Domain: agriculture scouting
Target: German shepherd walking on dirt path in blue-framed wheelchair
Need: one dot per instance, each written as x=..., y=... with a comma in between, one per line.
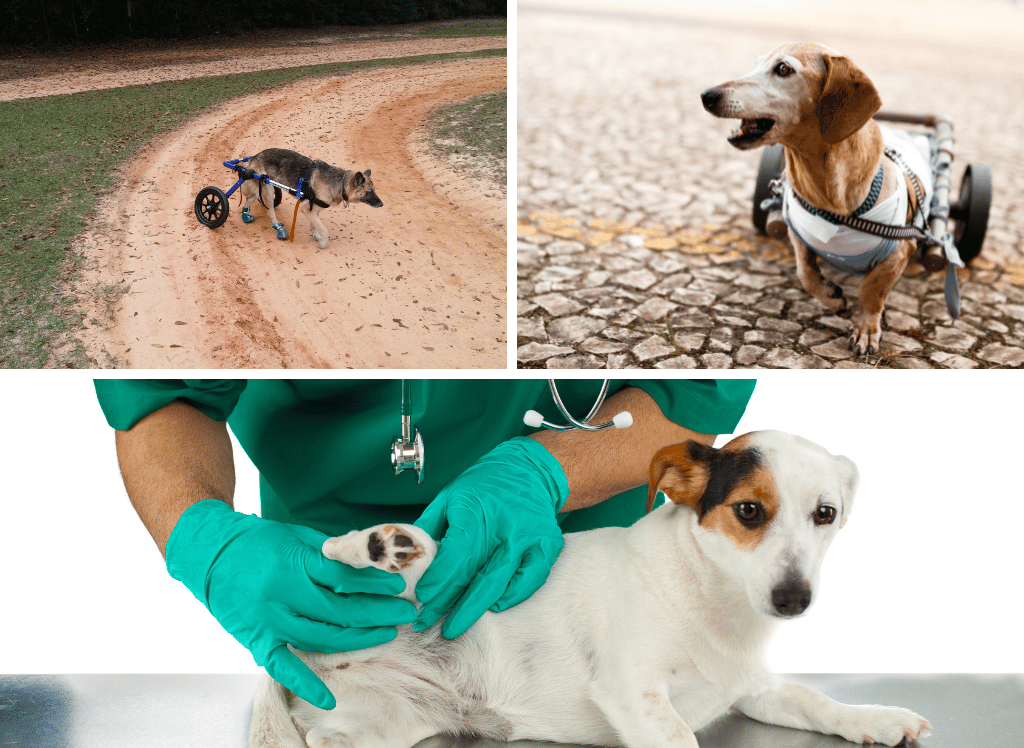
x=329, y=184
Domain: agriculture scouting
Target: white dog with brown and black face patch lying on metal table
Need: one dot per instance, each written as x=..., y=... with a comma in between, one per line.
x=641, y=637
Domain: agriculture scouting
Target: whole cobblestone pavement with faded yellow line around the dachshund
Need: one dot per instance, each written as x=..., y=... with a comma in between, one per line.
x=635, y=243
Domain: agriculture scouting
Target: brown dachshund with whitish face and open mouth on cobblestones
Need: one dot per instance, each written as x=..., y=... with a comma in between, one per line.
x=819, y=105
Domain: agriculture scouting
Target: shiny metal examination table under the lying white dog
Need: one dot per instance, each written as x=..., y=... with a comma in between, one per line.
x=214, y=712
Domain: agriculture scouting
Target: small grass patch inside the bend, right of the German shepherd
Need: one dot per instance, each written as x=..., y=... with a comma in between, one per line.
x=476, y=132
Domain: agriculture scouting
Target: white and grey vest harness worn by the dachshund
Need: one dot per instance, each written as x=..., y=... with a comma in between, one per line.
x=859, y=242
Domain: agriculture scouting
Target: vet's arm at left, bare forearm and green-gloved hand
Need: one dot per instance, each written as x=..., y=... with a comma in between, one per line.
x=268, y=584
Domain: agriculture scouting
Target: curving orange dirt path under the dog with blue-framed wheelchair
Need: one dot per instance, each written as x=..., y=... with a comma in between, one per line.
x=420, y=283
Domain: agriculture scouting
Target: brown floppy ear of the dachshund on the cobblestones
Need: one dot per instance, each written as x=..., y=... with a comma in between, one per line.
x=848, y=100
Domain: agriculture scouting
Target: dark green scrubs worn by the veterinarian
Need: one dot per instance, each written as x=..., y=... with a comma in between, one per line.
x=323, y=447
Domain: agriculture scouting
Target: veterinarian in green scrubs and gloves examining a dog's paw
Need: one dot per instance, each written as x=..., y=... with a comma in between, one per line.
x=495, y=493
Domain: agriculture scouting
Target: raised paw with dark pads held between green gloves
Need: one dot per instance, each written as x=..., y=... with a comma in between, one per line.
x=391, y=548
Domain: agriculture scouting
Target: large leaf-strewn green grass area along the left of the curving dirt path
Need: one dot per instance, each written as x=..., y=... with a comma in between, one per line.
x=59, y=154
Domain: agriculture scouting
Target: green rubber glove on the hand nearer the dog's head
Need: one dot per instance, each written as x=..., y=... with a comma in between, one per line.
x=498, y=535
